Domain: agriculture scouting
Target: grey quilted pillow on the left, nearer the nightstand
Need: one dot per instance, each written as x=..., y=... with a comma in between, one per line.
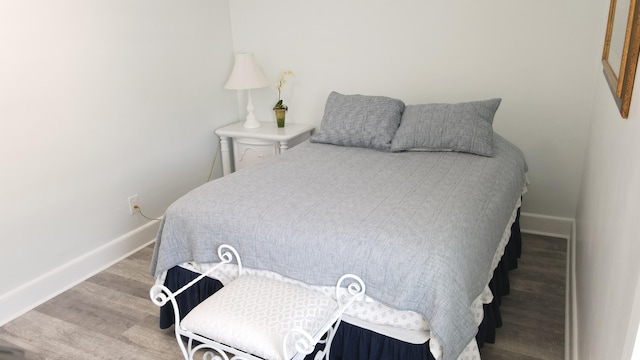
x=359, y=121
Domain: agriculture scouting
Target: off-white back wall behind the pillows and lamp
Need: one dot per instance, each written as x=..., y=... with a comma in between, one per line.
x=534, y=55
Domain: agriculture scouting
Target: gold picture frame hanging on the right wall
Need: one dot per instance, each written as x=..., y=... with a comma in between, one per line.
x=620, y=54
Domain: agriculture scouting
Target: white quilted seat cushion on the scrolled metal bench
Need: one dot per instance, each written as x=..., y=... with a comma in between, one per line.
x=253, y=314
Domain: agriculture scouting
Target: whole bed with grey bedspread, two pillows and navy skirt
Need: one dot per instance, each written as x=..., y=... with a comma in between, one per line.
x=421, y=201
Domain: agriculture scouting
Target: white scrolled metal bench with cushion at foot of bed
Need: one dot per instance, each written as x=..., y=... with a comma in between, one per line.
x=255, y=317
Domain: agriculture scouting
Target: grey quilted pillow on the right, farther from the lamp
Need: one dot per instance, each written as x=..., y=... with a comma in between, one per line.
x=465, y=127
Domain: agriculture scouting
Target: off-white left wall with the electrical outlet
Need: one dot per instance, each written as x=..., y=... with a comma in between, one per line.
x=100, y=100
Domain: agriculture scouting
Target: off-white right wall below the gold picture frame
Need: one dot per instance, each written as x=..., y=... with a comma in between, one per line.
x=607, y=240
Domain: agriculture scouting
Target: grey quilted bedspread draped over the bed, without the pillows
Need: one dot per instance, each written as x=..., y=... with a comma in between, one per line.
x=420, y=228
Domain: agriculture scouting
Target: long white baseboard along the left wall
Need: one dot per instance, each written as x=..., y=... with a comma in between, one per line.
x=37, y=291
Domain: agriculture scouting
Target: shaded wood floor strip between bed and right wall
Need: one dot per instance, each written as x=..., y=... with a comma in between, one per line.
x=533, y=313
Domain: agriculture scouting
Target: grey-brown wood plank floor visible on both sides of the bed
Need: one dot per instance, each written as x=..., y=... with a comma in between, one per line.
x=110, y=316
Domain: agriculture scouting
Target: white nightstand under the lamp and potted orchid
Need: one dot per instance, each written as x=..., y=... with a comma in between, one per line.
x=251, y=146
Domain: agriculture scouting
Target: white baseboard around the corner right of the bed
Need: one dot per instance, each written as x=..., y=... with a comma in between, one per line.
x=563, y=228
